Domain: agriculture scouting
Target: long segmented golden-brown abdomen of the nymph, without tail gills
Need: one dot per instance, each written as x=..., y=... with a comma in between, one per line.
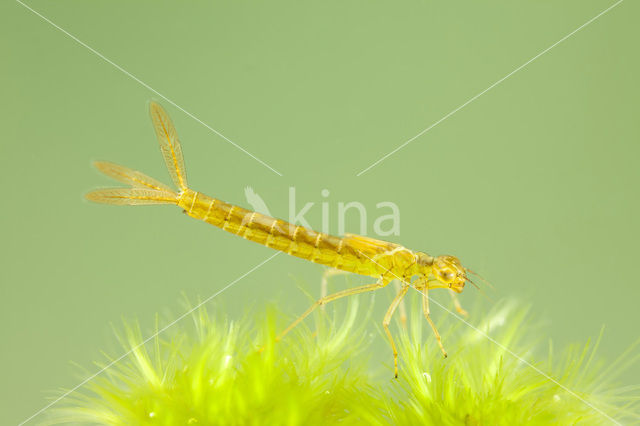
x=275, y=233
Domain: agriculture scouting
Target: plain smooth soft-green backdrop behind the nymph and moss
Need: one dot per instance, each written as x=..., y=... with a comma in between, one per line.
x=535, y=184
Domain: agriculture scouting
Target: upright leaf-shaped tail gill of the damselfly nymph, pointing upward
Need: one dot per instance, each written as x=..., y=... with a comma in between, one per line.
x=169, y=144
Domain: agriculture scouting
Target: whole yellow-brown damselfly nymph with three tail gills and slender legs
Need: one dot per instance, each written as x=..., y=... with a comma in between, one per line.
x=357, y=254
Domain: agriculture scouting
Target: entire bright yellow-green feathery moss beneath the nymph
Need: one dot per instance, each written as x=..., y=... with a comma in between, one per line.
x=212, y=372
